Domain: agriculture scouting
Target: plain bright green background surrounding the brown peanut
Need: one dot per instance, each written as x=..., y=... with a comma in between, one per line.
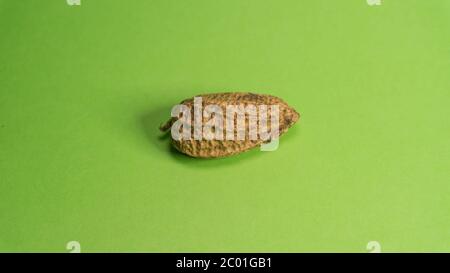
x=84, y=88
